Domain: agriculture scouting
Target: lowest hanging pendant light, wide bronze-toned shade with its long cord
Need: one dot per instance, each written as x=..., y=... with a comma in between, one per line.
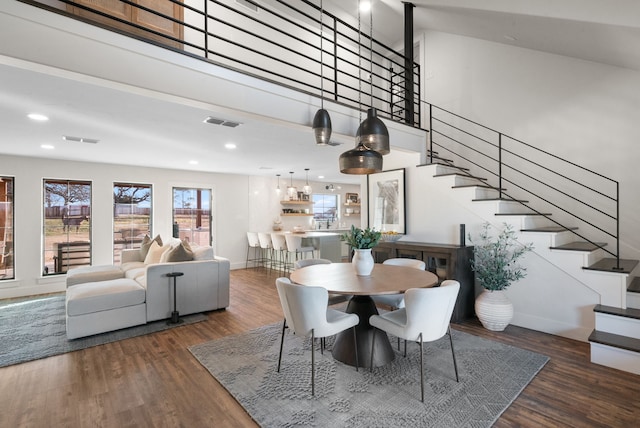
x=362, y=159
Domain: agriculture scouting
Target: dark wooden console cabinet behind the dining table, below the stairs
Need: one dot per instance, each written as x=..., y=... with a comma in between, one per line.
x=446, y=261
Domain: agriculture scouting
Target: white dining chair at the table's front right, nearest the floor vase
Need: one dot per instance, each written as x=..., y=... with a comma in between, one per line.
x=426, y=317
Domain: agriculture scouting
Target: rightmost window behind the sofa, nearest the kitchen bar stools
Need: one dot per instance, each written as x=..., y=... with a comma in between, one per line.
x=192, y=215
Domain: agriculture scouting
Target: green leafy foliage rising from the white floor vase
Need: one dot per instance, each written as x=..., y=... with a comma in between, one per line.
x=496, y=258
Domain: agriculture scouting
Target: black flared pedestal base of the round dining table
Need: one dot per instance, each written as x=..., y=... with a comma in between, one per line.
x=343, y=349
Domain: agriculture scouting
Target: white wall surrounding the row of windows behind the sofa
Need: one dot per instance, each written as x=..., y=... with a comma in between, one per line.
x=230, y=212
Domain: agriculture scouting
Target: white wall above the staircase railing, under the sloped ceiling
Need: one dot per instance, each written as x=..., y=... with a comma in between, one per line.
x=583, y=111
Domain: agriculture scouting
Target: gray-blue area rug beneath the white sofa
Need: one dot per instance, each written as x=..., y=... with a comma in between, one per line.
x=35, y=328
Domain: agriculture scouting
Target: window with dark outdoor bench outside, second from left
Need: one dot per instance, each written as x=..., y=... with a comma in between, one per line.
x=66, y=225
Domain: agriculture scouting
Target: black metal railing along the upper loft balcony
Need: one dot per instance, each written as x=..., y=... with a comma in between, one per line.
x=280, y=44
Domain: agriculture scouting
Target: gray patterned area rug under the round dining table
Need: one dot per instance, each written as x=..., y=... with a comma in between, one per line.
x=492, y=375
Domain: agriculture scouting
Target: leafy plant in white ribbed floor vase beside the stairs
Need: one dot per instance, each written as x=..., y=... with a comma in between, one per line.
x=496, y=267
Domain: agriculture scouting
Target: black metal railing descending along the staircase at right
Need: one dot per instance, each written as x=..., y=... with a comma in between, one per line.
x=579, y=197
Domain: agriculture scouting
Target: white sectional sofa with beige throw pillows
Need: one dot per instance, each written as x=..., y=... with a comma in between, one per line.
x=105, y=298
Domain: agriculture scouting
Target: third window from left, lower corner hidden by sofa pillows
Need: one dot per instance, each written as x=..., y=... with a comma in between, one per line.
x=131, y=216
